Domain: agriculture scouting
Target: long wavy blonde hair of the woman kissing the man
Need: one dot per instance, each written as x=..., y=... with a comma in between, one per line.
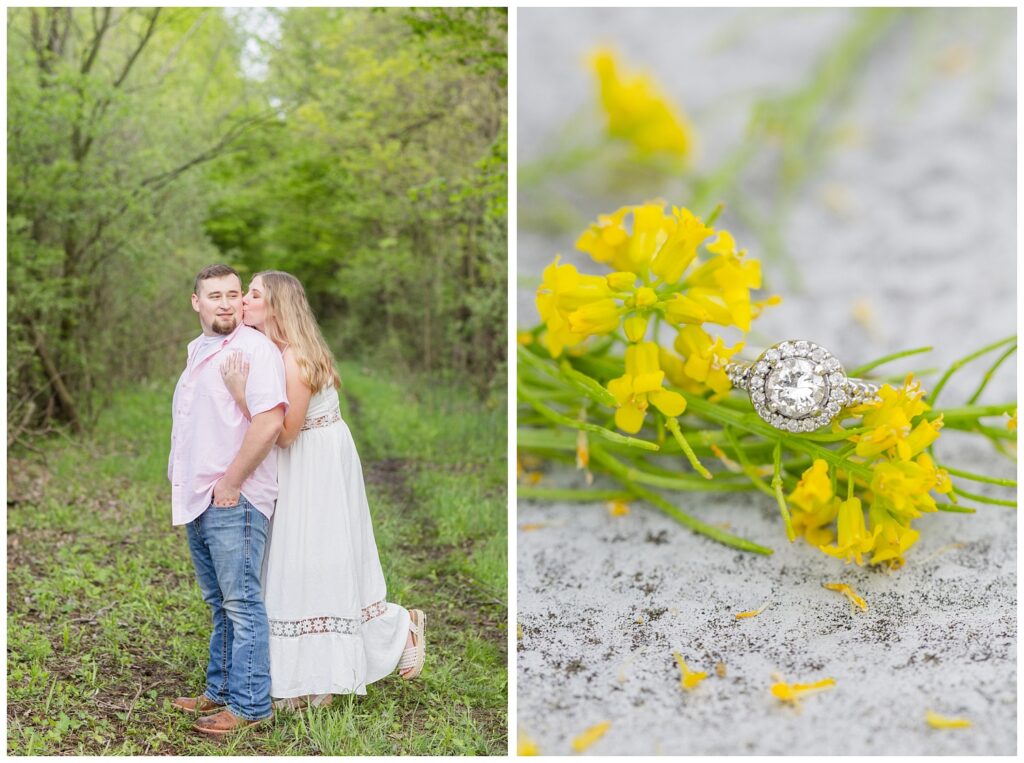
x=290, y=321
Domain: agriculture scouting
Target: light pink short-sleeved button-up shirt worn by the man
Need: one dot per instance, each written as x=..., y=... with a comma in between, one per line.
x=208, y=427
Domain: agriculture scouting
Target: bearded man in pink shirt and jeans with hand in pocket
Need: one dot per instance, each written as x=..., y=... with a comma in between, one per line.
x=224, y=475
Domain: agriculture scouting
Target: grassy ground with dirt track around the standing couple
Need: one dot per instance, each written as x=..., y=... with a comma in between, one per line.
x=106, y=624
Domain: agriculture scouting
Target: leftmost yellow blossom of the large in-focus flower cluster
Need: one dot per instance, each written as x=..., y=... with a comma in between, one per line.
x=562, y=296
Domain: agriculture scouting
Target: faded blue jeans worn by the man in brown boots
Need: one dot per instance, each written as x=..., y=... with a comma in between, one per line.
x=228, y=546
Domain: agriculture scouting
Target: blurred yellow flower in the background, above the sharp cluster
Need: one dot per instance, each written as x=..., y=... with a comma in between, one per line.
x=638, y=112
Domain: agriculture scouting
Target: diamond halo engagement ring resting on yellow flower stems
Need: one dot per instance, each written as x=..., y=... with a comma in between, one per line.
x=799, y=387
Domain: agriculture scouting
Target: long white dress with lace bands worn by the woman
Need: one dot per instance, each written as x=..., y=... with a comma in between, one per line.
x=332, y=630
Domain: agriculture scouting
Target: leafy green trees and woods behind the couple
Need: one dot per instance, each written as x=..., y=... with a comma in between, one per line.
x=362, y=150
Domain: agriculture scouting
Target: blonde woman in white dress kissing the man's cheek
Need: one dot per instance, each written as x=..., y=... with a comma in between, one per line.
x=331, y=628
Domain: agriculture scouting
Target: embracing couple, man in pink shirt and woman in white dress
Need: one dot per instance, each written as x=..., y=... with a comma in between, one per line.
x=300, y=604
